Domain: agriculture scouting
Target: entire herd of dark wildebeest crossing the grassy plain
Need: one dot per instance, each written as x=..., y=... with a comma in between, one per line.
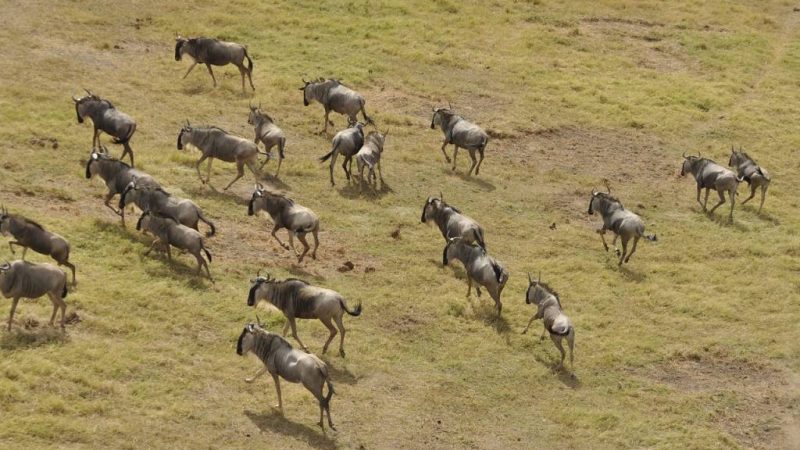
x=174, y=221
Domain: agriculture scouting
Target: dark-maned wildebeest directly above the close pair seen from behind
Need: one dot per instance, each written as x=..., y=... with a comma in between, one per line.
x=336, y=97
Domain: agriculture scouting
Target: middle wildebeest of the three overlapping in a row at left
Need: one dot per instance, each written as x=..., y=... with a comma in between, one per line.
x=158, y=201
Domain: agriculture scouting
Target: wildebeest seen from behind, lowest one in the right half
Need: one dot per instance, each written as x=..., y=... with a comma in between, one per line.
x=548, y=307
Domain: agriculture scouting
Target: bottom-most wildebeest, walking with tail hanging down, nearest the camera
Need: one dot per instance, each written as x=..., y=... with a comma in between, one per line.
x=282, y=361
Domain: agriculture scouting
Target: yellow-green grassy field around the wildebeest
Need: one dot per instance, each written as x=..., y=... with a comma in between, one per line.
x=693, y=344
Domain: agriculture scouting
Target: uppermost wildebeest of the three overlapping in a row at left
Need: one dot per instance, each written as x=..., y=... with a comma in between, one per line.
x=117, y=175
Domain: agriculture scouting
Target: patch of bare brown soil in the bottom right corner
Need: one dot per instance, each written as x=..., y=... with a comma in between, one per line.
x=753, y=403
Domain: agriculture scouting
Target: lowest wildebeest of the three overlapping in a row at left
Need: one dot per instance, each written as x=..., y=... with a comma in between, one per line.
x=170, y=233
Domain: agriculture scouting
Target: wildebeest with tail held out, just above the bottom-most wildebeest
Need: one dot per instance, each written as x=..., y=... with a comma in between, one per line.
x=299, y=300
